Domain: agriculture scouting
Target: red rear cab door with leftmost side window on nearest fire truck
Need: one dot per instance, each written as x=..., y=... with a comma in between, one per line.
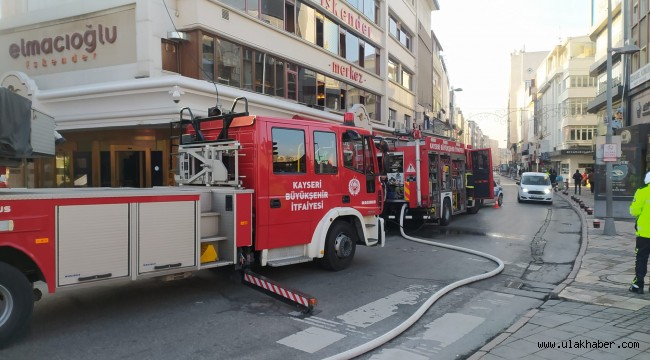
x=291, y=203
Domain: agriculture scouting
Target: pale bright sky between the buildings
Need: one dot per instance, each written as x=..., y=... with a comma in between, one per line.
x=477, y=38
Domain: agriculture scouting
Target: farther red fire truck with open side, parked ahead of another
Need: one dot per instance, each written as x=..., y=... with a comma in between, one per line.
x=435, y=178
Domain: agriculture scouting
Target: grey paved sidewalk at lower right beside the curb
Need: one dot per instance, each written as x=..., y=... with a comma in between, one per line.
x=591, y=315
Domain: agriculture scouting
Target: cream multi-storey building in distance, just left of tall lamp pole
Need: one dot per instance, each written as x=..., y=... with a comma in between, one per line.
x=563, y=131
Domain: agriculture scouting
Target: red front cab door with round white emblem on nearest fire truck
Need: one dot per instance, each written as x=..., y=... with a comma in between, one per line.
x=360, y=173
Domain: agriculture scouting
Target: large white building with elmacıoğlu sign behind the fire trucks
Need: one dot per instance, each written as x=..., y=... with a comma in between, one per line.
x=115, y=73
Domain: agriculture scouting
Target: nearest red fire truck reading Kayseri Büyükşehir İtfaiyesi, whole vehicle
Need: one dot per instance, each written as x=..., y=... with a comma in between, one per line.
x=252, y=189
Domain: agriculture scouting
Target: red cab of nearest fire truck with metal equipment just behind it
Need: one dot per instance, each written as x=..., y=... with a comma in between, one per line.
x=310, y=179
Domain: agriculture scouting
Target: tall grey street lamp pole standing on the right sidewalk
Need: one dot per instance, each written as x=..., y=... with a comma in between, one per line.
x=610, y=227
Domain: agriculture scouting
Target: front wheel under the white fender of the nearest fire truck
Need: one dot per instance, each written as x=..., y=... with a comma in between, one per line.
x=340, y=245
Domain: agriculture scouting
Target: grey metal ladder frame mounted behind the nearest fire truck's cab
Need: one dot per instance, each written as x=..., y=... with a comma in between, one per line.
x=207, y=162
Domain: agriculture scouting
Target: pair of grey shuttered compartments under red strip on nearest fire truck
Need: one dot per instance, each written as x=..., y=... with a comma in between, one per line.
x=106, y=233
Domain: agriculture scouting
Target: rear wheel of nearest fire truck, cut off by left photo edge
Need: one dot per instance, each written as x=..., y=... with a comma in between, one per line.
x=16, y=303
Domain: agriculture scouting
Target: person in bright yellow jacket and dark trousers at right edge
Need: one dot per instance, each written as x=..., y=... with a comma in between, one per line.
x=640, y=209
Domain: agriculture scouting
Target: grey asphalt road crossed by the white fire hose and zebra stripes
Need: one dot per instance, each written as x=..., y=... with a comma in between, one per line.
x=213, y=316
